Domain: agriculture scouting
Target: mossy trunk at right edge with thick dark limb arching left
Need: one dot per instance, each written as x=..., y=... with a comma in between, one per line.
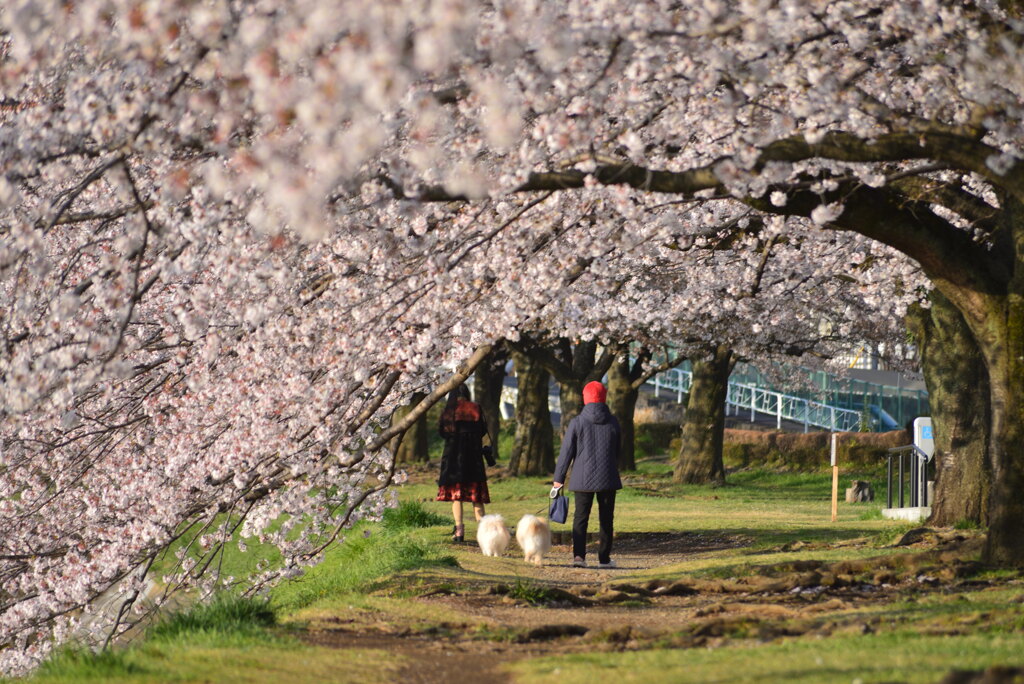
x=986, y=283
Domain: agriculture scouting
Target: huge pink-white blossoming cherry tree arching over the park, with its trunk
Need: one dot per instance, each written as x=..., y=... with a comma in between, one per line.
x=235, y=237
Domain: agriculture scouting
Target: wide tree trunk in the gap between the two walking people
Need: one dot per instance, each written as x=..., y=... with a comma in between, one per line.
x=533, y=452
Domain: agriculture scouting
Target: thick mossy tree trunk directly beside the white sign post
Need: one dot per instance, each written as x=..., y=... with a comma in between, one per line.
x=959, y=397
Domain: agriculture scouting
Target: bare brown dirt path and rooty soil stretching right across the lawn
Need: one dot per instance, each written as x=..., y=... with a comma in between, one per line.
x=492, y=612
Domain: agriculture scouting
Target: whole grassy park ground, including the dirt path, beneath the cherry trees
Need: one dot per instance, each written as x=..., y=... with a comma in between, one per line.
x=404, y=581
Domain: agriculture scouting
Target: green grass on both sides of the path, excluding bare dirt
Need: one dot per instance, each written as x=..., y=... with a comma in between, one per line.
x=375, y=574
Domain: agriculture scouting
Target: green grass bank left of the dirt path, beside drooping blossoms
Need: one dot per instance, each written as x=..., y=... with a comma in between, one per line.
x=236, y=639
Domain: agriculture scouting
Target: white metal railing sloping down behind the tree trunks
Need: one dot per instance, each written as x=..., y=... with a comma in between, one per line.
x=755, y=400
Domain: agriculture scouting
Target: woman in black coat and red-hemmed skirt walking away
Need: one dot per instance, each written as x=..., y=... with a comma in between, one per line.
x=463, y=477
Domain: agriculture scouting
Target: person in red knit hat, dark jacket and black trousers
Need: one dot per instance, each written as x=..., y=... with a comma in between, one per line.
x=591, y=446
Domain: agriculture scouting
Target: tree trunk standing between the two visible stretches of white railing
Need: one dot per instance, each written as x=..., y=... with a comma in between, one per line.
x=700, y=460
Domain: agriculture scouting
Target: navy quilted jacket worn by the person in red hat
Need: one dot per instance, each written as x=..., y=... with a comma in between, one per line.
x=591, y=446
